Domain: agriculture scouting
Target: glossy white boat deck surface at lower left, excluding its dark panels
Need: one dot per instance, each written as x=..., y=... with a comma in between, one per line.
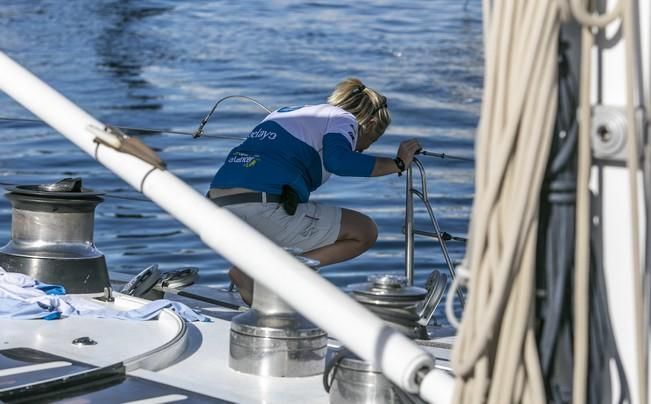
x=190, y=356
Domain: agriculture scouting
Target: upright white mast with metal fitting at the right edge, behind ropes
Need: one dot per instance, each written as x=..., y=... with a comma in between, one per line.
x=610, y=182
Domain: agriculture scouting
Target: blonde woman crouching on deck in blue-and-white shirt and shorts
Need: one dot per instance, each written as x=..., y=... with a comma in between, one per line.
x=267, y=180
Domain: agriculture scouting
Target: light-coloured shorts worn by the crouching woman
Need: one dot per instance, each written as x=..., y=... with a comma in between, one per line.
x=312, y=226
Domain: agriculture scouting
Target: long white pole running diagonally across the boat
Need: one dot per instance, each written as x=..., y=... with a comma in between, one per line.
x=320, y=301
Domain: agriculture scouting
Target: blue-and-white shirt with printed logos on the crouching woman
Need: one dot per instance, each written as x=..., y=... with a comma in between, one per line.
x=296, y=146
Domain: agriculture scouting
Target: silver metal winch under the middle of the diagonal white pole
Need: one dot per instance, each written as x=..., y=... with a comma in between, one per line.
x=272, y=339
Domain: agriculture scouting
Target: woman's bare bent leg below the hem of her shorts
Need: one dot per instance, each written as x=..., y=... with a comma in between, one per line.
x=357, y=234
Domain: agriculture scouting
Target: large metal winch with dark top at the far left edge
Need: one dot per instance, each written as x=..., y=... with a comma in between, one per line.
x=52, y=236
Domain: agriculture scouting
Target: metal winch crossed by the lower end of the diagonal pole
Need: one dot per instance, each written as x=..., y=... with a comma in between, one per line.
x=406, y=308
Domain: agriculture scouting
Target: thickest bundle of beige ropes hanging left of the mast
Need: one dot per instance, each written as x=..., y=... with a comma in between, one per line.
x=495, y=356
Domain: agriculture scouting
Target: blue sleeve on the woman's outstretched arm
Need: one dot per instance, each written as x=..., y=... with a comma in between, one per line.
x=340, y=159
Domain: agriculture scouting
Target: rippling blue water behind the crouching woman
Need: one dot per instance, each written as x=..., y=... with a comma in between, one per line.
x=162, y=64
